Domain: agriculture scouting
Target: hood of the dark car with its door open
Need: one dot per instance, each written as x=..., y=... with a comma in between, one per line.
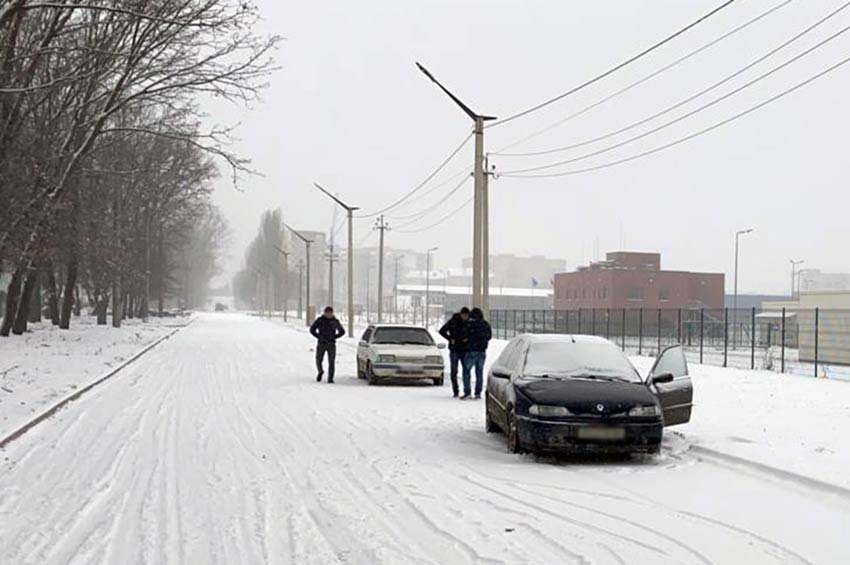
x=583, y=396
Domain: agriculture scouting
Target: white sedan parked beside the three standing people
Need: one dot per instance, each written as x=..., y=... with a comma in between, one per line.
x=395, y=351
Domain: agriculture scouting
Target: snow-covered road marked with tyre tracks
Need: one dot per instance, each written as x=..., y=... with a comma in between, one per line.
x=219, y=447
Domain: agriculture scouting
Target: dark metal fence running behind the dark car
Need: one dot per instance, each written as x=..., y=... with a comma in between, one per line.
x=809, y=342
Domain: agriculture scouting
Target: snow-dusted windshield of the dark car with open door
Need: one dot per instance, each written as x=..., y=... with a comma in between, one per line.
x=567, y=359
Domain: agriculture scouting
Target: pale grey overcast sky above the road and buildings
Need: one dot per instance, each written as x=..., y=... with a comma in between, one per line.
x=349, y=109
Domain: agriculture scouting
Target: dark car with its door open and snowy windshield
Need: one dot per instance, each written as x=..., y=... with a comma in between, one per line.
x=564, y=393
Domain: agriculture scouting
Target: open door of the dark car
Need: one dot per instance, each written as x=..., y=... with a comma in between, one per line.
x=676, y=395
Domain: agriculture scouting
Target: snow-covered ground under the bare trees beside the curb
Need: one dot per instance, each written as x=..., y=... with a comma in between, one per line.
x=47, y=364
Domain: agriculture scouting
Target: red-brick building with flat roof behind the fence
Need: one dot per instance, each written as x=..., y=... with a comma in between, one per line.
x=635, y=280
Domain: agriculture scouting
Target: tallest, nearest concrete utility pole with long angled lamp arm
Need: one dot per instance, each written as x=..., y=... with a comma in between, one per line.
x=479, y=205
